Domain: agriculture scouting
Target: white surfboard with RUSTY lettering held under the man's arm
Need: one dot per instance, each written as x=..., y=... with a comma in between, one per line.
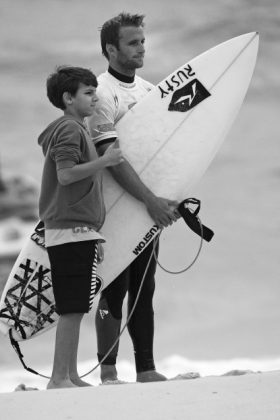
x=170, y=138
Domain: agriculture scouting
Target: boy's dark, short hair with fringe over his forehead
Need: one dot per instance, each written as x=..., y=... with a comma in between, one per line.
x=67, y=79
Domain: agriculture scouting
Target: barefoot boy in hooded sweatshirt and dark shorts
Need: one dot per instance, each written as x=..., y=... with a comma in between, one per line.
x=72, y=209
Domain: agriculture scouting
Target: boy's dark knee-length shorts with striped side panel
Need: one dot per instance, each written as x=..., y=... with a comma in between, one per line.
x=73, y=268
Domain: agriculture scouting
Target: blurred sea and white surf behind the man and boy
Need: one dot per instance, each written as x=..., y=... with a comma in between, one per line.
x=224, y=312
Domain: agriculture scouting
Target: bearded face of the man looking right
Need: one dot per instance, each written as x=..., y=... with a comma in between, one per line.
x=130, y=54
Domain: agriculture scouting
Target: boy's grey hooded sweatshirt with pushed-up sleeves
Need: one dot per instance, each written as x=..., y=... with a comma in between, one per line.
x=65, y=143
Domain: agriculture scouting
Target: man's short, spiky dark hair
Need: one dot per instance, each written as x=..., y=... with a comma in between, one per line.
x=109, y=33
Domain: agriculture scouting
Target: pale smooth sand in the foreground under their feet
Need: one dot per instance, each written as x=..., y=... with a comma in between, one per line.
x=249, y=397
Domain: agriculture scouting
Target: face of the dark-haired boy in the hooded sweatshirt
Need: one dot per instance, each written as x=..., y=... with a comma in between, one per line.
x=83, y=103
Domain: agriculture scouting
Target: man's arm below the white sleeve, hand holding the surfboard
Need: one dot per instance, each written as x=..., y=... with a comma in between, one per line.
x=160, y=209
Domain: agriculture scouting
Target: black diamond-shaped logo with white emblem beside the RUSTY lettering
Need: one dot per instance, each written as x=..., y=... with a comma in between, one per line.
x=188, y=96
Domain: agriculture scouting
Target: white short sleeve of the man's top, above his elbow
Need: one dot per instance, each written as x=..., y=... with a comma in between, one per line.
x=101, y=124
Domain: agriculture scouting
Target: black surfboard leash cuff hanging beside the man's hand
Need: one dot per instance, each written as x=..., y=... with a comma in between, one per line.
x=191, y=219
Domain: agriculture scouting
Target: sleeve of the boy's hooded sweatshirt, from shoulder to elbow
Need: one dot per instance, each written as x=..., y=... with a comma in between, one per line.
x=66, y=150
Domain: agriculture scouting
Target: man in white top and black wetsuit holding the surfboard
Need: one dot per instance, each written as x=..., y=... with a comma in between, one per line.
x=122, y=41
